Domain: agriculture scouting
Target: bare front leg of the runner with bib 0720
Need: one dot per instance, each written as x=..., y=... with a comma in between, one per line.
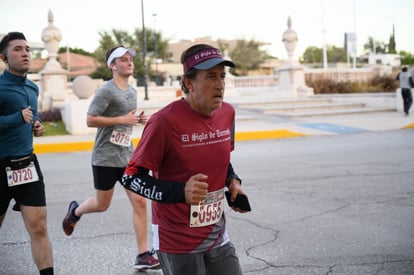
x=35, y=222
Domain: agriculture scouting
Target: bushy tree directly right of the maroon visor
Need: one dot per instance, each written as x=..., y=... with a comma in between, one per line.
x=247, y=56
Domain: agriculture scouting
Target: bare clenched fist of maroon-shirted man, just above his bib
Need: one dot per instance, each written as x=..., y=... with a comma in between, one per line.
x=196, y=189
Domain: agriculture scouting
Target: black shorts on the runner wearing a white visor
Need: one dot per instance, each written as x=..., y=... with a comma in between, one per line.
x=105, y=178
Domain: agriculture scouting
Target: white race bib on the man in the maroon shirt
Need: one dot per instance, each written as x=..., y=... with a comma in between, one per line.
x=208, y=212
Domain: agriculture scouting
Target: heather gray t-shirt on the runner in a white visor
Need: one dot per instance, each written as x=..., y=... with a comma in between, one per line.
x=110, y=101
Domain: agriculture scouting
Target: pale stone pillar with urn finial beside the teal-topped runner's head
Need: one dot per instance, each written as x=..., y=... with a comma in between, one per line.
x=54, y=77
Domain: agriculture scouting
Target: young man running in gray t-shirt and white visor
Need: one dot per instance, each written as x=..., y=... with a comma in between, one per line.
x=113, y=111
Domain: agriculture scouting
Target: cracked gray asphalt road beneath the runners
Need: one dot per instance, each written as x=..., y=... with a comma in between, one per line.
x=339, y=204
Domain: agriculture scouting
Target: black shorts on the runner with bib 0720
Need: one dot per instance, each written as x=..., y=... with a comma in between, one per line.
x=30, y=194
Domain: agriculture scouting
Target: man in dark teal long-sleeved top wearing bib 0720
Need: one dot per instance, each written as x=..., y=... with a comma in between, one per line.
x=20, y=176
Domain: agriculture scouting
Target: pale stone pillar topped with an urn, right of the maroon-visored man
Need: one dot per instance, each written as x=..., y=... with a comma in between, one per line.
x=291, y=74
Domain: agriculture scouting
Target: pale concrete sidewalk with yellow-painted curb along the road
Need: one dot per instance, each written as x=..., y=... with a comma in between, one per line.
x=256, y=126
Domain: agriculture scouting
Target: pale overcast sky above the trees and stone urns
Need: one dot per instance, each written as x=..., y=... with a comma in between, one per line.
x=316, y=22
